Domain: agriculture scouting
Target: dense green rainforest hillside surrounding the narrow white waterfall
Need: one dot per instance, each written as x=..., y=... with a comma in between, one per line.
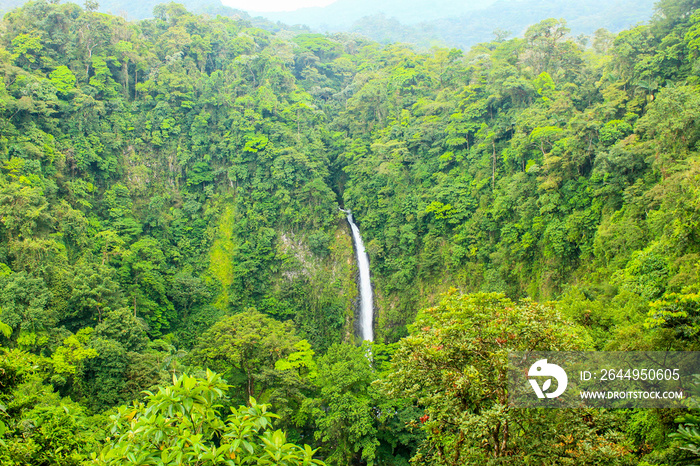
x=169, y=194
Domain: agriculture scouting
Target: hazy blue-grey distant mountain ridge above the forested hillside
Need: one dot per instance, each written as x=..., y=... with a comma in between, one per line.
x=425, y=23
